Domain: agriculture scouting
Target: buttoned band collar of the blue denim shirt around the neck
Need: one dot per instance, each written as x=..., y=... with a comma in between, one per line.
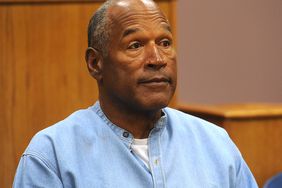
x=123, y=134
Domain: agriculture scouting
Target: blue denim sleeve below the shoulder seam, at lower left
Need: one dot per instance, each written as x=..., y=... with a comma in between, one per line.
x=34, y=171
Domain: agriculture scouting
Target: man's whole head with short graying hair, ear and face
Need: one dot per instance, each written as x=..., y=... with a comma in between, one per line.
x=131, y=55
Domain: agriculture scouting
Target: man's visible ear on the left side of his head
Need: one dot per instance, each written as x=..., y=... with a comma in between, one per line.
x=94, y=63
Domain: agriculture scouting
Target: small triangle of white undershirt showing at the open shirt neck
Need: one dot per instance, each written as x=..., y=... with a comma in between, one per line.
x=140, y=148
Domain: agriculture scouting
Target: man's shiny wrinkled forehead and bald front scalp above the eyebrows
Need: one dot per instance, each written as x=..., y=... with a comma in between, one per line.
x=130, y=12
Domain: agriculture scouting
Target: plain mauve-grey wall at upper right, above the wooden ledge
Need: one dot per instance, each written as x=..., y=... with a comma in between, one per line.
x=230, y=51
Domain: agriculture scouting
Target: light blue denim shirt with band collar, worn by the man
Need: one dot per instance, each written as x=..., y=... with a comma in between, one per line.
x=86, y=150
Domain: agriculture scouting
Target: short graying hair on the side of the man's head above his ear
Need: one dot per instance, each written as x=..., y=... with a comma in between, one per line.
x=99, y=29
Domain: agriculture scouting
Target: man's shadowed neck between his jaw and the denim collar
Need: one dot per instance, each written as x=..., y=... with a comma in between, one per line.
x=138, y=123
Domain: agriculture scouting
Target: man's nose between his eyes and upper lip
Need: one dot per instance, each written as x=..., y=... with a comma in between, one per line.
x=155, y=59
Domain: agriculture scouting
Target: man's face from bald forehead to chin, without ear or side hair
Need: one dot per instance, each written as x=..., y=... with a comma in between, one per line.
x=140, y=70
